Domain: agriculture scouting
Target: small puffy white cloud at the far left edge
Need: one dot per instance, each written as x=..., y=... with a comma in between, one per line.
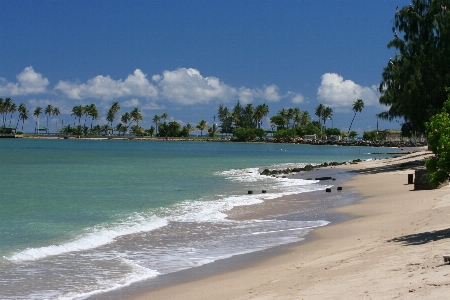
x=28, y=82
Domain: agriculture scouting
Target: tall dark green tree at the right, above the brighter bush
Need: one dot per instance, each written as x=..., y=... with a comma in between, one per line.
x=413, y=82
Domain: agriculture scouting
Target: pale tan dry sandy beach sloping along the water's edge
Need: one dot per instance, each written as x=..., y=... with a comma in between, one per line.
x=392, y=249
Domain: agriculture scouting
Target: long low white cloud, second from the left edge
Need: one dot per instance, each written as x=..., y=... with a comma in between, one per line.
x=104, y=87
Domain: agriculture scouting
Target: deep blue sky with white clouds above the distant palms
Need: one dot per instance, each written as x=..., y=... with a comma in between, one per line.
x=184, y=58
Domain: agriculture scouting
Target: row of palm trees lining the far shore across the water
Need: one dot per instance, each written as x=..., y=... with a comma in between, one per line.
x=239, y=116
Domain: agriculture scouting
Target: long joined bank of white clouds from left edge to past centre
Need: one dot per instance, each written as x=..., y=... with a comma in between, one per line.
x=183, y=86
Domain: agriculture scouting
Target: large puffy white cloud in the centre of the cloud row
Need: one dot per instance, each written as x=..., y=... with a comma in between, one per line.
x=188, y=86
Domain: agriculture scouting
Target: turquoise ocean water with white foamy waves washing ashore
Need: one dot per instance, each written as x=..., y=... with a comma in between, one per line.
x=83, y=217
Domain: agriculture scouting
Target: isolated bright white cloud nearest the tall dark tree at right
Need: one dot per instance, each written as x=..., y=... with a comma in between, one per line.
x=337, y=92
